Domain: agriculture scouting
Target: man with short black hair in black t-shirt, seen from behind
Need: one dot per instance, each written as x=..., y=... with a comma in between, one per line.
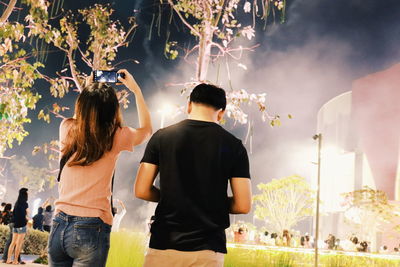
x=196, y=158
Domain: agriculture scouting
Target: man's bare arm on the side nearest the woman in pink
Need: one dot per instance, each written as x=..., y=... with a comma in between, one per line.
x=144, y=188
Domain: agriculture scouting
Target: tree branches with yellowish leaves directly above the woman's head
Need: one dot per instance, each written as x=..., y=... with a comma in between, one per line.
x=99, y=51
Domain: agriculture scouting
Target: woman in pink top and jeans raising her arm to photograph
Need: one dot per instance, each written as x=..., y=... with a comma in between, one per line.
x=92, y=141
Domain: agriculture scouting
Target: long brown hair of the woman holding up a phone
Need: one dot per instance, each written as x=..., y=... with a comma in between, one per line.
x=97, y=118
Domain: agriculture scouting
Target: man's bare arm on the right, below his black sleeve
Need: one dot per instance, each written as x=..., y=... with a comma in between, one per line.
x=240, y=202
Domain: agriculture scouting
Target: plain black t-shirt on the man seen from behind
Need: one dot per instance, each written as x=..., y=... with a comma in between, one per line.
x=196, y=159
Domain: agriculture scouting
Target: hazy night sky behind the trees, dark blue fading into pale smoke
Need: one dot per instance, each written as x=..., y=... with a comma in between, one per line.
x=315, y=55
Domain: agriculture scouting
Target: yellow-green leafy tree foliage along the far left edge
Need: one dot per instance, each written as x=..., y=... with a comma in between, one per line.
x=18, y=73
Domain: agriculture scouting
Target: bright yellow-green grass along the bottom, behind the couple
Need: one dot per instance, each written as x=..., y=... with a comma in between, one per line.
x=128, y=248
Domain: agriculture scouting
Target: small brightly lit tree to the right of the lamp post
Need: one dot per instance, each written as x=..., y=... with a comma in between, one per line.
x=368, y=211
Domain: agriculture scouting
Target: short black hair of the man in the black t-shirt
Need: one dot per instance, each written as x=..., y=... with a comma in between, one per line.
x=210, y=95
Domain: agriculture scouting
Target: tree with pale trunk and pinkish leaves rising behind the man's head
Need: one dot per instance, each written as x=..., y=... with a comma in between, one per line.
x=215, y=25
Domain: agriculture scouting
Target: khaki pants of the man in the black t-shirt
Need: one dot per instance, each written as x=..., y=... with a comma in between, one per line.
x=175, y=258
